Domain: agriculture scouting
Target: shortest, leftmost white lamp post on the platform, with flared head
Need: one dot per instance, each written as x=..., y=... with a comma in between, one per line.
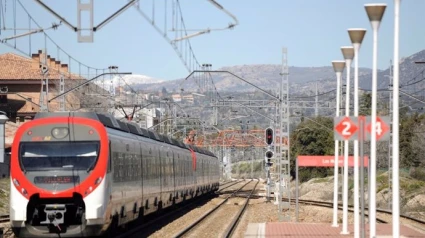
x=338, y=68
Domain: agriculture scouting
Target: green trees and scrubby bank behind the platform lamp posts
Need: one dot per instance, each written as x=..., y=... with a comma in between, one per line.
x=314, y=136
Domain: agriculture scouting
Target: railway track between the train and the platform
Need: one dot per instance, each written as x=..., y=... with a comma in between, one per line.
x=233, y=224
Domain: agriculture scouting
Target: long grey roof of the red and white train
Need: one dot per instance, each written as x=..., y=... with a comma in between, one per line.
x=129, y=127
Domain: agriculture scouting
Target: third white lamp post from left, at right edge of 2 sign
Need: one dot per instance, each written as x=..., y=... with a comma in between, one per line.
x=356, y=37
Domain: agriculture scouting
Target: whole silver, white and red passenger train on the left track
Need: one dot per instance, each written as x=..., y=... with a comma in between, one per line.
x=79, y=173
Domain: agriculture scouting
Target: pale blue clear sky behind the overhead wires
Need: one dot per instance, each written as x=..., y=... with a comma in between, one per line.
x=312, y=30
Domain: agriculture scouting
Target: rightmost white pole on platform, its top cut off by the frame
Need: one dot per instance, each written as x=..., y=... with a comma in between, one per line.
x=395, y=162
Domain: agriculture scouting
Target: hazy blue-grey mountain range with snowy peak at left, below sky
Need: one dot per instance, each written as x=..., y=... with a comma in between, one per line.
x=303, y=80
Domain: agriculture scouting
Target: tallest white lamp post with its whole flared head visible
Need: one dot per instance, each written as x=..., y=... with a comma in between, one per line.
x=375, y=13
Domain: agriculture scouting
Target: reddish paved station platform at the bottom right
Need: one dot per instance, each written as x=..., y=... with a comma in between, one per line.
x=306, y=230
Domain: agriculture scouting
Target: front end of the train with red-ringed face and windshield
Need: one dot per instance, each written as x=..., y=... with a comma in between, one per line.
x=58, y=178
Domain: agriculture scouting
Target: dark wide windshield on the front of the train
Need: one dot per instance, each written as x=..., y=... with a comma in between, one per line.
x=36, y=156
